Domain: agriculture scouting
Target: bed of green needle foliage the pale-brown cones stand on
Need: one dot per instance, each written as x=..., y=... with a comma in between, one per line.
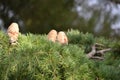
x=36, y=58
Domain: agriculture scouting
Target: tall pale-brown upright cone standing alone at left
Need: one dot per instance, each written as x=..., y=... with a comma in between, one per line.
x=13, y=32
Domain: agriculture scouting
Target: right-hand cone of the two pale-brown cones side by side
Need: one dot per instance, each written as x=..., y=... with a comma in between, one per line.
x=62, y=38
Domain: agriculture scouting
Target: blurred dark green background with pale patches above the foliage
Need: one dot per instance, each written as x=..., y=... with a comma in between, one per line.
x=100, y=17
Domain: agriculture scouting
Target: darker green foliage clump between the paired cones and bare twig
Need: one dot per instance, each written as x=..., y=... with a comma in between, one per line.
x=83, y=40
